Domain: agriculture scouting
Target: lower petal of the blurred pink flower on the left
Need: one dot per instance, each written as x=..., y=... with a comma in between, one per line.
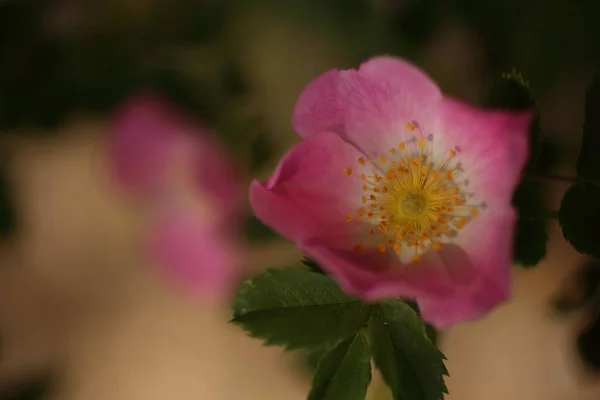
x=195, y=254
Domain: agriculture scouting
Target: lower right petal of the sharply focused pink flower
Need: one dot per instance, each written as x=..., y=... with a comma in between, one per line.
x=488, y=241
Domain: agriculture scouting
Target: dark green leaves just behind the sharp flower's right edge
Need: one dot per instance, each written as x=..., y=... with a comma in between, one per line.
x=512, y=92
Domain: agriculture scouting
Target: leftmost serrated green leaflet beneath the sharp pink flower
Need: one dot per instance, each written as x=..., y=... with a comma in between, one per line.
x=296, y=308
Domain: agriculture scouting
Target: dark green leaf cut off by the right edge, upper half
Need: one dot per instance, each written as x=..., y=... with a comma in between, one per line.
x=588, y=162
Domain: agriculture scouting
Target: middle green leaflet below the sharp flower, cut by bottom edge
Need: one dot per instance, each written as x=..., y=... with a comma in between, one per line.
x=345, y=372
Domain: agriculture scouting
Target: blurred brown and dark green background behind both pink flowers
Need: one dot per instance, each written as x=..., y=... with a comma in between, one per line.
x=82, y=313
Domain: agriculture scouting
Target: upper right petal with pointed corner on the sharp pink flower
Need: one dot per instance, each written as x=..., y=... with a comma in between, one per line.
x=494, y=147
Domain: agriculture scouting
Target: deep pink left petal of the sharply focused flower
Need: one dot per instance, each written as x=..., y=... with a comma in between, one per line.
x=309, y=192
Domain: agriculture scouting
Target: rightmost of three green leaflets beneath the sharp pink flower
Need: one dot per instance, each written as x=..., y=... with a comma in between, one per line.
x=410, y=364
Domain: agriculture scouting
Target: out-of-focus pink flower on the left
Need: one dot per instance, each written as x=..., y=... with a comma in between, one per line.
x=168, y=161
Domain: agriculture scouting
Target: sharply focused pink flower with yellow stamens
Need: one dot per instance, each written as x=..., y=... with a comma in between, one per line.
x=398, y=191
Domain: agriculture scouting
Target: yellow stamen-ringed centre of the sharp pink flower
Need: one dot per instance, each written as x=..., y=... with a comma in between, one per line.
x=413, y=201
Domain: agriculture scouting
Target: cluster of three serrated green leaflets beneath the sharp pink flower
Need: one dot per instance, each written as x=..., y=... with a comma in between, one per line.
x=301, y=309
